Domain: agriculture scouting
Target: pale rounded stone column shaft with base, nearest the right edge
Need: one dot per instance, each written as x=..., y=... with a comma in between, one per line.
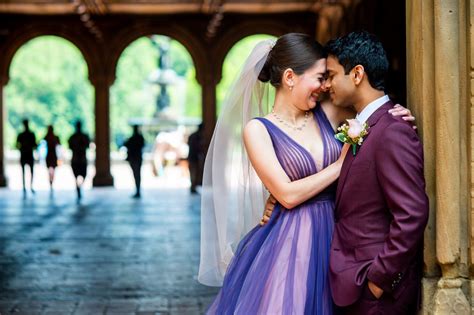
x=452, y=216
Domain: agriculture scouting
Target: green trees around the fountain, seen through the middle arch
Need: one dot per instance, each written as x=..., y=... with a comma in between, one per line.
x=134, y=96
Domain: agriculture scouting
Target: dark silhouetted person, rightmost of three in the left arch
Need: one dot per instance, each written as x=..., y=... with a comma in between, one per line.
x=78, y=143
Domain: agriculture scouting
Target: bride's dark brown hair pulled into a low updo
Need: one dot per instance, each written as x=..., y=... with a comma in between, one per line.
x=293, y=50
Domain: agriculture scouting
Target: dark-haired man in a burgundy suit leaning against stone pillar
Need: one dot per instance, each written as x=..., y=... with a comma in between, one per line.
x=381, y=205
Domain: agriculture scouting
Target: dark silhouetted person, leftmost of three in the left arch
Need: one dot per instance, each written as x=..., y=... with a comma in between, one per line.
x=26, y=143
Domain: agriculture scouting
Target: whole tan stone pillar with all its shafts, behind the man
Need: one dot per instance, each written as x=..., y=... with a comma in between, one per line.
x=436, y=86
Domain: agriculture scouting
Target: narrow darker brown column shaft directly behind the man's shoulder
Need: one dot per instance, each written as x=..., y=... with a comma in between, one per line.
x=420, y=87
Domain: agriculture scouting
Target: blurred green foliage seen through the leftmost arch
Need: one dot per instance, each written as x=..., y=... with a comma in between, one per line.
x=48, y=85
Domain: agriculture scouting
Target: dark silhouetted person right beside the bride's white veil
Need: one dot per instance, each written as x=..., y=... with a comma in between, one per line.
x=196, y=157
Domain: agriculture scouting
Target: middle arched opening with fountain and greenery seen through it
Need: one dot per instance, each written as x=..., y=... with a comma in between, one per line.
x=165, y=120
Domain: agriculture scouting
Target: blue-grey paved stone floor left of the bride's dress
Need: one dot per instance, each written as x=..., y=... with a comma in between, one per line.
x=110, y=254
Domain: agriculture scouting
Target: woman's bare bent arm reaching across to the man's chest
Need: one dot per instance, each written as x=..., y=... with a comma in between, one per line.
x=263, y=158
